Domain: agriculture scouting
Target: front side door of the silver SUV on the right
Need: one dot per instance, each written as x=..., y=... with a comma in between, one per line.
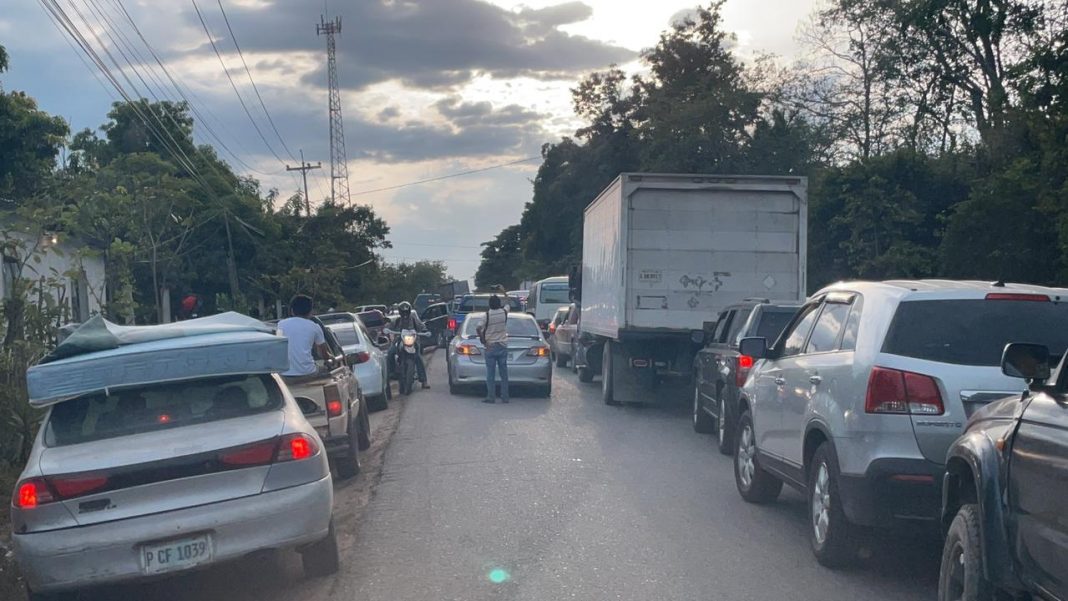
x=780, y=379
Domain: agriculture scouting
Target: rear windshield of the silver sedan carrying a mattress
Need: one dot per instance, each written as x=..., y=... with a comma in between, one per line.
x=158, y=407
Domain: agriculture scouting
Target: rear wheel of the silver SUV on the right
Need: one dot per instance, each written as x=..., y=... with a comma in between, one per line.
x=833, y=537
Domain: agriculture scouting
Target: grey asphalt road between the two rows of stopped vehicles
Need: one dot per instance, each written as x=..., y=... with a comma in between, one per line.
x=559, y=499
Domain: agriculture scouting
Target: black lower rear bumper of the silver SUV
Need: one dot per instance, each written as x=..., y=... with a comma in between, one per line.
x=894, y=491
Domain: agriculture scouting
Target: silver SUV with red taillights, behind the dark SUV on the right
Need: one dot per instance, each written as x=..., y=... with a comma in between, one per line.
x=858, y=402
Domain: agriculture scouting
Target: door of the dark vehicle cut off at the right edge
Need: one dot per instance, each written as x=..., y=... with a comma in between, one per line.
x=1038, y=491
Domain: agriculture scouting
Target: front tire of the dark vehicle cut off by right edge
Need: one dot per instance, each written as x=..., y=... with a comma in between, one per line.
x=962, y=574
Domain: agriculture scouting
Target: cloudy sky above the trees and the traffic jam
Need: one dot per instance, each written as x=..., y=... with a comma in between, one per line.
x=430, y=88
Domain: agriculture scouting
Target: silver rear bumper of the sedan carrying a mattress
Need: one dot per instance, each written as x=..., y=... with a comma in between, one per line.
x=109, y=552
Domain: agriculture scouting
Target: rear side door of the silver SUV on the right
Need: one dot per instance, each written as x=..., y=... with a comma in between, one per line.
x=824, y=373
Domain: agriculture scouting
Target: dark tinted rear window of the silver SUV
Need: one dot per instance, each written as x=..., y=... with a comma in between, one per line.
x=975, y=333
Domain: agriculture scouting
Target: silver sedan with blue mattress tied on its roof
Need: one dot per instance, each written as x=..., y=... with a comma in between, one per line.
x=185, y=464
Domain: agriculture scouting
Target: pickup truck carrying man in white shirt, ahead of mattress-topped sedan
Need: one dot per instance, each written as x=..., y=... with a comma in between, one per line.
x=335, y=406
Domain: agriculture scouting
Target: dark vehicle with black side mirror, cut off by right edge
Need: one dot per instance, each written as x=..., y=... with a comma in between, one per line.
x=1006, y=492
